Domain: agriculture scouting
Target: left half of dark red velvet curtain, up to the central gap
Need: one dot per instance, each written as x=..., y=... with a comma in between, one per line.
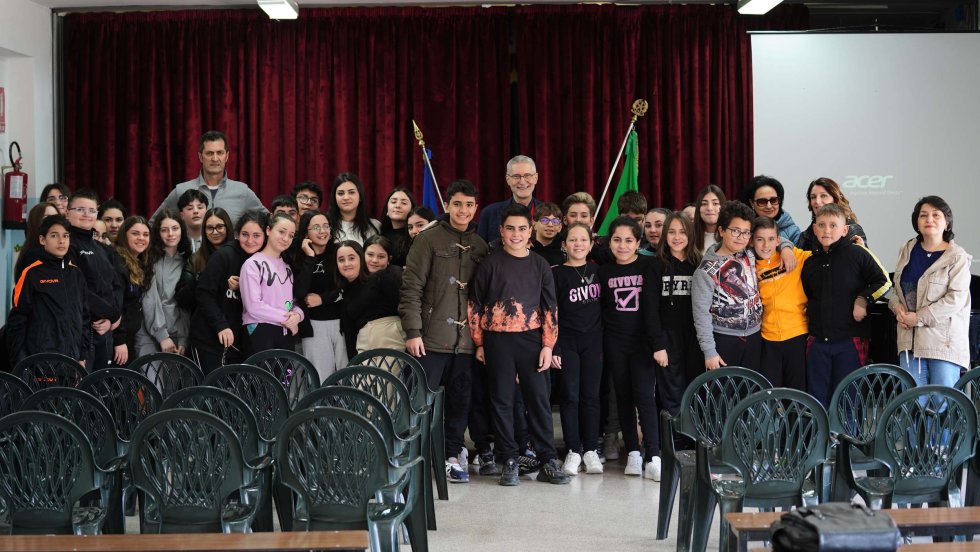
x=333, y=91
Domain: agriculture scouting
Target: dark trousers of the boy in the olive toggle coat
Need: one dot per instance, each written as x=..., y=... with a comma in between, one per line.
x=454, y=372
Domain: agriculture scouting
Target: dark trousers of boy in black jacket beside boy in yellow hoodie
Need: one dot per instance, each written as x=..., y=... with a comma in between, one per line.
x=830, y=361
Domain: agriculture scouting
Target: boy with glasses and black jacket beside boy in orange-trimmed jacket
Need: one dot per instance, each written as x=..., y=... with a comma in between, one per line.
x=104, y=291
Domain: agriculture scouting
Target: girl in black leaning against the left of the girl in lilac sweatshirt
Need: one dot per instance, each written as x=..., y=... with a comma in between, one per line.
x=216, y=325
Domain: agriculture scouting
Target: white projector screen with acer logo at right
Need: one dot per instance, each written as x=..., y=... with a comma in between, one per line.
x=889, y=117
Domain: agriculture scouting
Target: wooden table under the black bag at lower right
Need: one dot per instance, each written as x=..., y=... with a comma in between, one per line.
x=912, y=522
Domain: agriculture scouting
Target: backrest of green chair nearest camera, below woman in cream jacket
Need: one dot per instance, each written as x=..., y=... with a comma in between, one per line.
x=926, y=433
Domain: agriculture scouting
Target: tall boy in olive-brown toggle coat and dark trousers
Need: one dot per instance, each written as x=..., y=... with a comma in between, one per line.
x=433, y=310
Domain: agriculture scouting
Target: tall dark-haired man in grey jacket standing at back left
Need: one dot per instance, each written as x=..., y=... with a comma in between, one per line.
x=231, y=195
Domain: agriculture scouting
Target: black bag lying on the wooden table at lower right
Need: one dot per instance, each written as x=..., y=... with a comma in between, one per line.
x=835, y=527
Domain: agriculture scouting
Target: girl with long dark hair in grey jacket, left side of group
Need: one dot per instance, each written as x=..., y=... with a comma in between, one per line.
x=165, y=324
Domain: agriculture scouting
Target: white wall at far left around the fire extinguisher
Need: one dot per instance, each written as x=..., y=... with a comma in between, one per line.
x=26, y=74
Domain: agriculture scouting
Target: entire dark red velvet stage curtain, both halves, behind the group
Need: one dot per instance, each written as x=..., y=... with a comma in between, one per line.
x=336, y=90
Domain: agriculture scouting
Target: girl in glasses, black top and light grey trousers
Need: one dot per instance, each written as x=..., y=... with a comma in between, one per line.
x=315, y=288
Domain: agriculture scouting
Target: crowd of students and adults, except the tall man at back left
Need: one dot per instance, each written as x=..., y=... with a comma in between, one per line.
x=500, y=312
